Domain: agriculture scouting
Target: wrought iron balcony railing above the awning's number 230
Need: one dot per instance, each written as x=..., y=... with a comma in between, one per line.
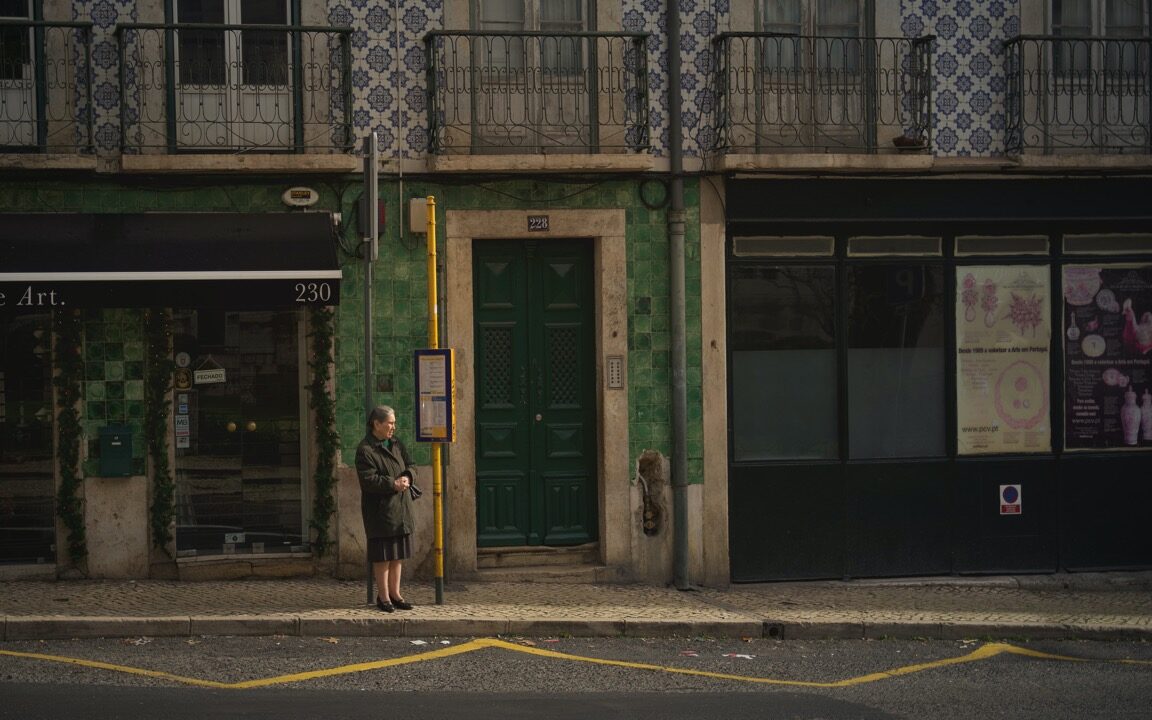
x=210, y=88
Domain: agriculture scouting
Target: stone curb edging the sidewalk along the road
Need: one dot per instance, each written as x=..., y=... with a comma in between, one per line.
x=36, y=628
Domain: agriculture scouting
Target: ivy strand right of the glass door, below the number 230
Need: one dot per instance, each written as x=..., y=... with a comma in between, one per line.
x=324, y=413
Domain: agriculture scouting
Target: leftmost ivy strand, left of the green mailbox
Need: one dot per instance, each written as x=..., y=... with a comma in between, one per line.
x=69, y=330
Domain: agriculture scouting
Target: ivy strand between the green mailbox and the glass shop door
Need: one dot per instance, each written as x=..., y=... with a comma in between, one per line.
x=157, y=407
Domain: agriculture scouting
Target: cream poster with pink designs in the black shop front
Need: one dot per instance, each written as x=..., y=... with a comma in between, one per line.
x=1003, y=354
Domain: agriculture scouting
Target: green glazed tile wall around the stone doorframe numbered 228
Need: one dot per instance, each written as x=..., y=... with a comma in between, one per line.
x=400, y=307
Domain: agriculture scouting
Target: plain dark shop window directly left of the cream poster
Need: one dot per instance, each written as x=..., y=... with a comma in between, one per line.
x=896, y=361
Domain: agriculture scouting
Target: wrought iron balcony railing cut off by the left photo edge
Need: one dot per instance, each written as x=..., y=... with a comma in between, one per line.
x=46, y=87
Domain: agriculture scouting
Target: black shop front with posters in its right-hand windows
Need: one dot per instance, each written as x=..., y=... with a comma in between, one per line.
x=939, y=376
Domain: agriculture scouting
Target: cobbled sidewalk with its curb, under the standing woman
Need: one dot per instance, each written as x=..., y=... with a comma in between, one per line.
x=1090, y=607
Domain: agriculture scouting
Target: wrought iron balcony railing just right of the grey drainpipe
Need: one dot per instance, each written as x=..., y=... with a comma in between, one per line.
x=789, y=94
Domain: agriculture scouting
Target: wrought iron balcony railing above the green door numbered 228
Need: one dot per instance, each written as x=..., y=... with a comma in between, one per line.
x=537, y=93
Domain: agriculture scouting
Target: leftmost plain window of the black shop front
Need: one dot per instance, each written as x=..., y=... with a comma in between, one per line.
x=784, y=363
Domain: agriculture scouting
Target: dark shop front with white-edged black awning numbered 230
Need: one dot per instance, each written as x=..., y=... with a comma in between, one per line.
x=185, y=332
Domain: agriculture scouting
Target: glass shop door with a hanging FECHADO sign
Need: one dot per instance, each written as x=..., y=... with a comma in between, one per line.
x=238, y=433
